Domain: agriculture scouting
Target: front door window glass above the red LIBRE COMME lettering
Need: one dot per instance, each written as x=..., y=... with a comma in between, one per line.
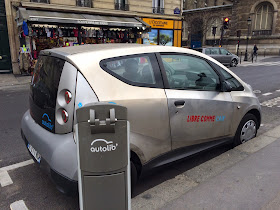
x=189, y=73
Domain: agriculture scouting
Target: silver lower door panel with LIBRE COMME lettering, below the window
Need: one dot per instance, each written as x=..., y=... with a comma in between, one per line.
x=212, y=110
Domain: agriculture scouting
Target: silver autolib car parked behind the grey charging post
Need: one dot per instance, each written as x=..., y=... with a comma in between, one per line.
x=179, y=101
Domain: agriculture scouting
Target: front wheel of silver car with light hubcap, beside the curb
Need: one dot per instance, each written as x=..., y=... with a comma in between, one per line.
x=246, y=130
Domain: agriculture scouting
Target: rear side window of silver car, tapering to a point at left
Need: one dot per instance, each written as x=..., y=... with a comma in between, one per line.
x=139, y=70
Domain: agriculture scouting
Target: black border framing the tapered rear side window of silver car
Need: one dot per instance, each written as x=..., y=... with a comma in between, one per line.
x=155, y=66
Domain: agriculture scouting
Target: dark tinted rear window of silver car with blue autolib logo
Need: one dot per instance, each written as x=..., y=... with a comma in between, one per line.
x=43, y=90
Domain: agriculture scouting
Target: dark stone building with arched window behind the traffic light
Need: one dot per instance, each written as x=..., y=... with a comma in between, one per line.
x=256, y=20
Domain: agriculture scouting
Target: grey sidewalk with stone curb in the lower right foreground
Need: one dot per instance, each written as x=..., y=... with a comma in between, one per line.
x=246, y=177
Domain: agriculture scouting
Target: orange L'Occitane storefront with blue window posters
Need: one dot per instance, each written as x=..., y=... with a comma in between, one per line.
x=163, y=32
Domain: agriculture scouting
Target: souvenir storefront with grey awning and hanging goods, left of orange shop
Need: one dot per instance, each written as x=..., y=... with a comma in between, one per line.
x=39, y=30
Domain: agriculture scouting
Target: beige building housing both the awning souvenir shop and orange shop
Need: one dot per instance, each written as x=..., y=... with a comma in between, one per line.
x=35, y=25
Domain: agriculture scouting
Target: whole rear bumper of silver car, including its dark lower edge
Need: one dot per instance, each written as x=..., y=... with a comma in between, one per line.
x=58, y=153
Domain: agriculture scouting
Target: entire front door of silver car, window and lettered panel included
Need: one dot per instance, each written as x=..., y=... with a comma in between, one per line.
x=199, y=112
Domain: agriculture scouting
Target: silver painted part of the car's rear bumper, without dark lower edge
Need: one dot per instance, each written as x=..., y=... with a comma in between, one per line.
x=58, y=150
